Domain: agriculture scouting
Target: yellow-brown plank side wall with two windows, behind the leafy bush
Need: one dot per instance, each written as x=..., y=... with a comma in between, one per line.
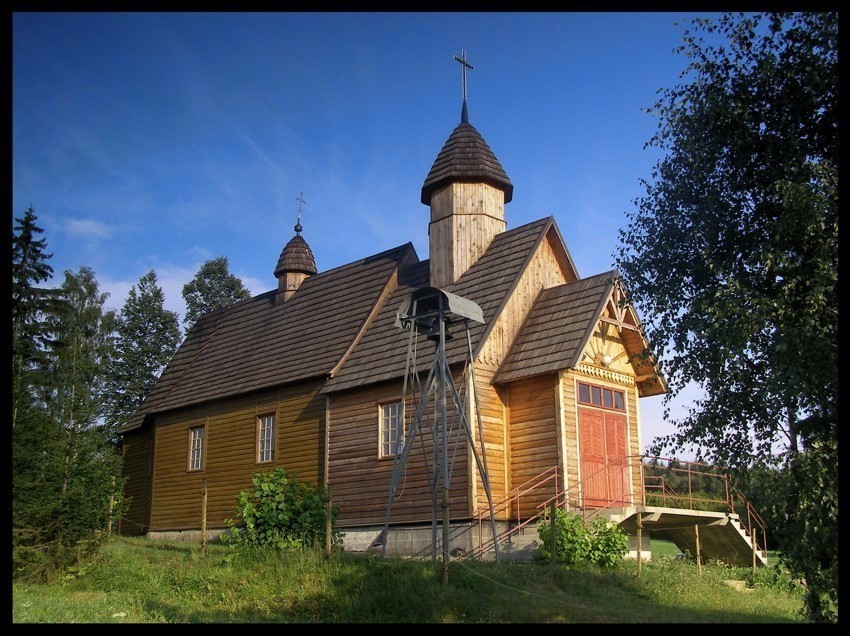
x=230, y=453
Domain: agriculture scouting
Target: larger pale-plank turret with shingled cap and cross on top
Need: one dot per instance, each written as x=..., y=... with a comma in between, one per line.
x=467, y=190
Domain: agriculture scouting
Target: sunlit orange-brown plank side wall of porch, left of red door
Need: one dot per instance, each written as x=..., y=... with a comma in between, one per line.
x=534, y=443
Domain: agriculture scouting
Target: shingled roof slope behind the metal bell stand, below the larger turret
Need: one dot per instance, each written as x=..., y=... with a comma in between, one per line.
x=381, y=353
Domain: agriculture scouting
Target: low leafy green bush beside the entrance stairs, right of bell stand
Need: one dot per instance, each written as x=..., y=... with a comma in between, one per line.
x=600, y=542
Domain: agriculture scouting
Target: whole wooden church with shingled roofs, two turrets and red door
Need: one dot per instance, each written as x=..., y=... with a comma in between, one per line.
x=314, y=376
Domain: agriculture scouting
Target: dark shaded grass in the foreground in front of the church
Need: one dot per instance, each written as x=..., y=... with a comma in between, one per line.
x=376, y=590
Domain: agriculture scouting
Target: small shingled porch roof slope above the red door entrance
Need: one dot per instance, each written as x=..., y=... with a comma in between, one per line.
x=557, y=328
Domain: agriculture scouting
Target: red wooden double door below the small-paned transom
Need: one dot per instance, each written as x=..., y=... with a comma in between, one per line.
x=602, y=448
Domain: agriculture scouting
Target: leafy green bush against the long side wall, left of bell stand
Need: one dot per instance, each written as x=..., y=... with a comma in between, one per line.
x=280, y=512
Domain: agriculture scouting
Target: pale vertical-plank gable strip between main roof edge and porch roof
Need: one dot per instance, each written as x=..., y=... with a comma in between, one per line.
x=542, y=272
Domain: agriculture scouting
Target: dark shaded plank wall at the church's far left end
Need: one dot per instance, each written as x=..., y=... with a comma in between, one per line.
x=137, y=463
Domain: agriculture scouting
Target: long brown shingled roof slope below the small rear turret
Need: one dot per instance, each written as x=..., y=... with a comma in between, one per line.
x=254, y=344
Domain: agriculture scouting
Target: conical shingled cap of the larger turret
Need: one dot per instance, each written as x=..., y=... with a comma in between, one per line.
x=466, y=158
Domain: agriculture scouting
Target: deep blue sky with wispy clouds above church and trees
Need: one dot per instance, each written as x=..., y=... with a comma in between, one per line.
x=161, y=140
